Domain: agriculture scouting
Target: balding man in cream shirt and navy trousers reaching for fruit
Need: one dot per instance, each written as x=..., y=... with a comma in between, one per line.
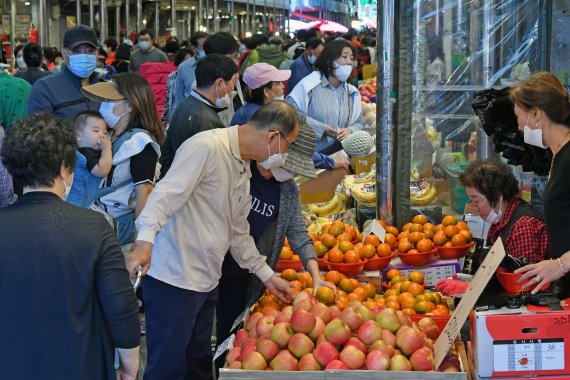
x=194, y=215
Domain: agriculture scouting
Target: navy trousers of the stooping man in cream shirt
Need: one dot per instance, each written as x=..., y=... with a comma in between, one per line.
x=178, y=331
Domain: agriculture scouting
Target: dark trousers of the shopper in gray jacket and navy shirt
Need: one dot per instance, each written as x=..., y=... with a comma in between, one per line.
x=232, y=299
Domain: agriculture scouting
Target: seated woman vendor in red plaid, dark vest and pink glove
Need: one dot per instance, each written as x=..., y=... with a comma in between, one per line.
x=494, y=194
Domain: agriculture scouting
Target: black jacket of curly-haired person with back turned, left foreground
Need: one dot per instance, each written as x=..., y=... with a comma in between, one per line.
x=67, y=300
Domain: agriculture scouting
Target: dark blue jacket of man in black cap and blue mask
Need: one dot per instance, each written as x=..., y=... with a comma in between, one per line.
x=60, y=94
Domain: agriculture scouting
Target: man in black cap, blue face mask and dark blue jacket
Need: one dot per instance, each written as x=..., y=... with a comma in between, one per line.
x=60, y=93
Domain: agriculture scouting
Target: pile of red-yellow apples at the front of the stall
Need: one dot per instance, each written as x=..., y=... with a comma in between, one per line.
x=309, y=336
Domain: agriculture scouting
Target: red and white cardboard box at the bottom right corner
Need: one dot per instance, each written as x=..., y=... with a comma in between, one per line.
x=522, y=344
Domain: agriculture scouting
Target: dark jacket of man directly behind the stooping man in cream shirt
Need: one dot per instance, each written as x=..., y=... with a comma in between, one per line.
x=194, y=115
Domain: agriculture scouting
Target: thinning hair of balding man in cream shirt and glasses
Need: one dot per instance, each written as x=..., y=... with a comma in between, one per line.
x=277, y=115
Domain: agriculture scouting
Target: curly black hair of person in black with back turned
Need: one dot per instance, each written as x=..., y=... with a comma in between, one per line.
x=36, y=147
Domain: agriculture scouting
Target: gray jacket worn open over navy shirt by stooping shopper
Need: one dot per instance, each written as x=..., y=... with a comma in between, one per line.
x=289, y=223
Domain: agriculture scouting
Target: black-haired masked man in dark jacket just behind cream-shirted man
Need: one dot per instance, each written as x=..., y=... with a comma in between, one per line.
x=215, y=79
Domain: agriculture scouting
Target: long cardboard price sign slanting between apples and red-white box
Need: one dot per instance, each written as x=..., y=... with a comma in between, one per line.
x=476, y=287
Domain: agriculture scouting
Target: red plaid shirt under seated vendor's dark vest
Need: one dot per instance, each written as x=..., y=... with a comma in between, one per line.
x=527, y=237
